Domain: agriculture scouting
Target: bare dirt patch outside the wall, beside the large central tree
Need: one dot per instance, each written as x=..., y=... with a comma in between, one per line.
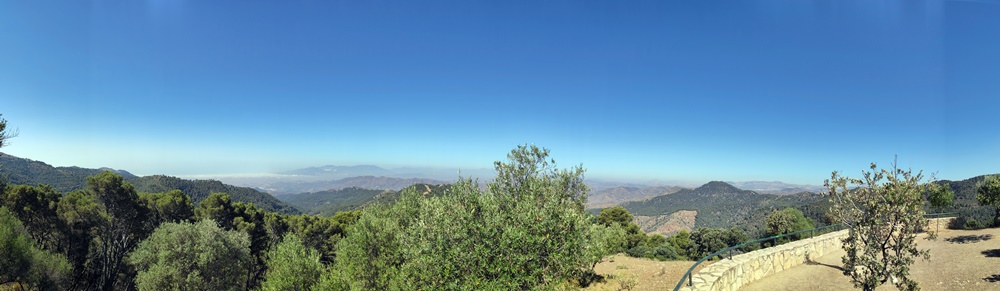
x=642, y=274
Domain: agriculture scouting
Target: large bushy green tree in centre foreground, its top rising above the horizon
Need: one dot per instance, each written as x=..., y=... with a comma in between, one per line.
x=528, y=230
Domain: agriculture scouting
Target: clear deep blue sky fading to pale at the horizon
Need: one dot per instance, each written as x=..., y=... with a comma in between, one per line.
x=667, y=90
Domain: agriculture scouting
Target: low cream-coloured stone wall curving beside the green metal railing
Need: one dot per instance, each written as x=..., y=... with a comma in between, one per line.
x=732, y=274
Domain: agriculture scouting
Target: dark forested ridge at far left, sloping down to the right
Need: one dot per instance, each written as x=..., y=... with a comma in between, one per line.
x=67, y=179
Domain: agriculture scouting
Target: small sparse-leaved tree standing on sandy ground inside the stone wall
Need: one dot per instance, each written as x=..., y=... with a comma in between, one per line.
x=883, y=212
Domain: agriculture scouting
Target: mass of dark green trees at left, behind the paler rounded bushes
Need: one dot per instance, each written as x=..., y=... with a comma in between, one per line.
x=94, y=230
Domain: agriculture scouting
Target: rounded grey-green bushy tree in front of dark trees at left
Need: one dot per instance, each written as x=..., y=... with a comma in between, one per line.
x=186, y=256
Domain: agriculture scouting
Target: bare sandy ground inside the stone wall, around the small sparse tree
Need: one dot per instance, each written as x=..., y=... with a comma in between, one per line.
x=960, y=260
